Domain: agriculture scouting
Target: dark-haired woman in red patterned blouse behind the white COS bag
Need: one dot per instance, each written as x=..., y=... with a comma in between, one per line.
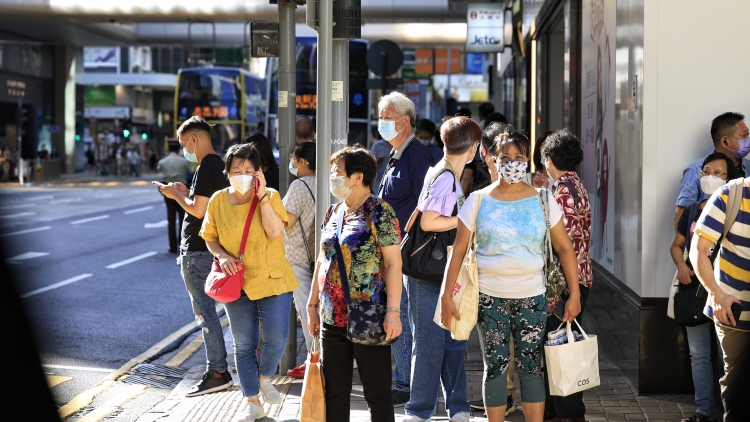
x=561, y=154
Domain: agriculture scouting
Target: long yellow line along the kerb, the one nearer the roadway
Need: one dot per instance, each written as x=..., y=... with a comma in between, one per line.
x=87, y=397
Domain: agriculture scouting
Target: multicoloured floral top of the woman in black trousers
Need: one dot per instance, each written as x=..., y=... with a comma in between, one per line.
x=373, y=226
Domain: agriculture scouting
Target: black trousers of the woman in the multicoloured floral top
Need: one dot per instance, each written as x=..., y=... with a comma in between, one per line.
x=374, y=366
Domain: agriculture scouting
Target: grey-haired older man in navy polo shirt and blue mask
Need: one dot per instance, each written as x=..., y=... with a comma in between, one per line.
x=400, y=187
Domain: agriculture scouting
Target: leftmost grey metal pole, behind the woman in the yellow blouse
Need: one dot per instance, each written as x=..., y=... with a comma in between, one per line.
x=287, y=83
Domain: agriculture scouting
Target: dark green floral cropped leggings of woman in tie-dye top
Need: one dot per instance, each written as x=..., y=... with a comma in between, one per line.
x=525, y=320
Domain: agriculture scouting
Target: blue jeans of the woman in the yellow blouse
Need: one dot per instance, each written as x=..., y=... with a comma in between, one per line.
x=244, y=315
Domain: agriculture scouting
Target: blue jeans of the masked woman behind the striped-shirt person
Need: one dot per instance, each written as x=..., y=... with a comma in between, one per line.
x=699, y=342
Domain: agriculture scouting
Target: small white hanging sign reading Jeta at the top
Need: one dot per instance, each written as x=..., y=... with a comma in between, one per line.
x=484, y=25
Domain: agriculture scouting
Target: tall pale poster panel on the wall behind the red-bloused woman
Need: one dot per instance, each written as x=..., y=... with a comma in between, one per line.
x=599, y=19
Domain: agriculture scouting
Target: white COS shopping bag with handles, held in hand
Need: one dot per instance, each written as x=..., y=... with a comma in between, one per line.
x=573, y=366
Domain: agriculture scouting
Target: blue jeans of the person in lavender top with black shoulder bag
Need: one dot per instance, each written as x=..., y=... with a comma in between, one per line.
x=434, y=348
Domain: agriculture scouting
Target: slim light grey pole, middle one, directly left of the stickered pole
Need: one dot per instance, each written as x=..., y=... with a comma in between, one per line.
x=324, y=113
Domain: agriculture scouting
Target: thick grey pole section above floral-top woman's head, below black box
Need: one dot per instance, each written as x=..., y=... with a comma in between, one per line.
x=340, y=109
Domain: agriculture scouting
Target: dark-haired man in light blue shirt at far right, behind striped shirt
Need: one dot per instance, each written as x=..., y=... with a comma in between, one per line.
x=726, y=131
